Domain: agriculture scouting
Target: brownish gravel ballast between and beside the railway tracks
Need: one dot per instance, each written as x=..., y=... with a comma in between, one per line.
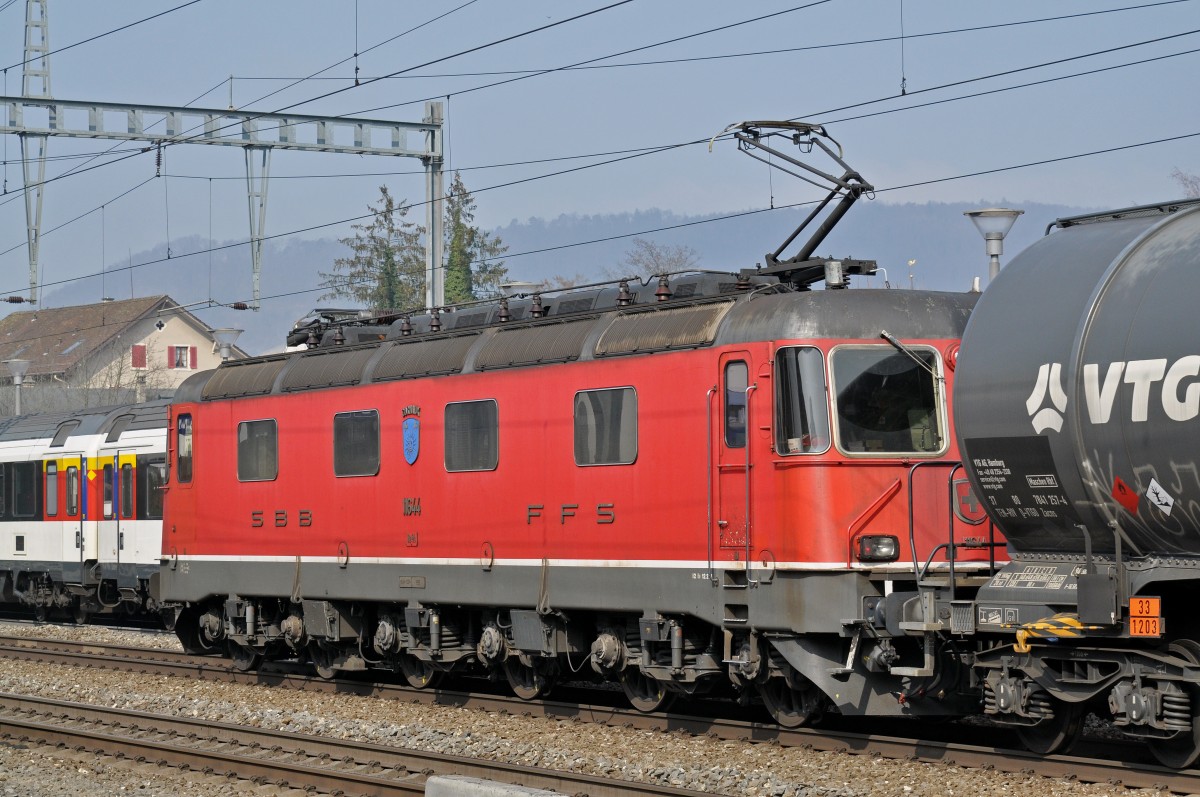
x=680, y=760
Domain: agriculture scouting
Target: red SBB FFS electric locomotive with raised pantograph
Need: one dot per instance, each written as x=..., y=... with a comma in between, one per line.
x=710, y=482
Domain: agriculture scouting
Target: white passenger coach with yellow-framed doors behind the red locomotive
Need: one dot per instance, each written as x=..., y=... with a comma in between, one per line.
x=81, y=511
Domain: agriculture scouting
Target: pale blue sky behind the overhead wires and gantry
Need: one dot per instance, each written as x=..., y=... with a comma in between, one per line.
x=178, y=58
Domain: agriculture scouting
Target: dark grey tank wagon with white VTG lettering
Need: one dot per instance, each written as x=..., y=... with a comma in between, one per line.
x=1077, y=409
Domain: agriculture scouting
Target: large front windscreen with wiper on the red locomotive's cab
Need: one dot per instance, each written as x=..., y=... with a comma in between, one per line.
x=886, y=402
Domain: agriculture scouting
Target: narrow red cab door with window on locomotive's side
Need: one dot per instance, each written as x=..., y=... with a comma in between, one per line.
x=730, y=435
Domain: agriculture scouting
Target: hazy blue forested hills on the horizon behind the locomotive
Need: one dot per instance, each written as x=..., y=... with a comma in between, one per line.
x=946, y=247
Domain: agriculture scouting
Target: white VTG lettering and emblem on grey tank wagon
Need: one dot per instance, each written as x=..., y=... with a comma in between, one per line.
x=1175, y=385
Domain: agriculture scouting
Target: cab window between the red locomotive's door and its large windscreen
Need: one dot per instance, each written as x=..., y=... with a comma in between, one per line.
x=803, y=412
